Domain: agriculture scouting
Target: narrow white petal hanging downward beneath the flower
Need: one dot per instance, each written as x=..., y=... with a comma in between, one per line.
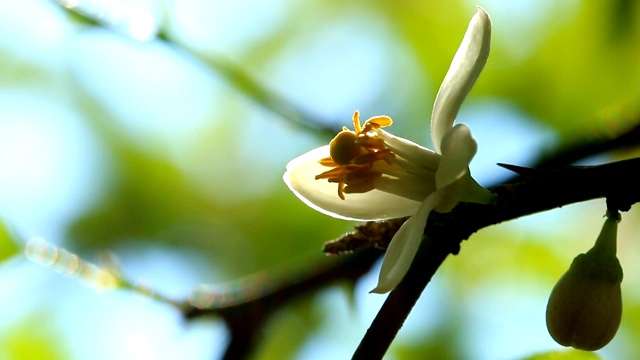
x=403, y=247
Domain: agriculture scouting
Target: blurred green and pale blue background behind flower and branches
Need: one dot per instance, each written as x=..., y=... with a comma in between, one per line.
x=148, y=144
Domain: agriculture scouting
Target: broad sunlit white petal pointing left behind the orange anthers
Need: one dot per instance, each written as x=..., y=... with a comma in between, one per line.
x=323, y=196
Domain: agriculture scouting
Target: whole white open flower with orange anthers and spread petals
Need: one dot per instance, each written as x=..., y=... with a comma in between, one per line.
x=370, y=174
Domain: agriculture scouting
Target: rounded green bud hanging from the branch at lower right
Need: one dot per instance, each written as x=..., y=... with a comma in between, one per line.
x=585, y=306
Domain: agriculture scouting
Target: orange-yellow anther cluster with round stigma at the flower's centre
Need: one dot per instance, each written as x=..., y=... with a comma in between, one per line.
x=352, y=155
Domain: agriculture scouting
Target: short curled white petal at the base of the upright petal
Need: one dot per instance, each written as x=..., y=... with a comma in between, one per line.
x=458, y=148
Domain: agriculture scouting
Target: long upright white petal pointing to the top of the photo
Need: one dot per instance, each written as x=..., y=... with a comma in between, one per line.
x=463, y=73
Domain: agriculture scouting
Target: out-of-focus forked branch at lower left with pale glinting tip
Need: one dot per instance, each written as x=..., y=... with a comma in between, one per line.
x=245, y=305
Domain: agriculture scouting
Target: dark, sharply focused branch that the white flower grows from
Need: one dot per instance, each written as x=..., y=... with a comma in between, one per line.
x=618, y=182
